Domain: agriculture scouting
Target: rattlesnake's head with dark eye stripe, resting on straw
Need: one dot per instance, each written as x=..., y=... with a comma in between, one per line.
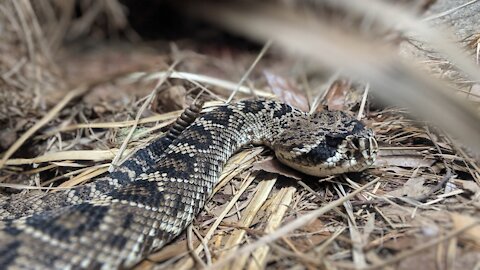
x=330, y=142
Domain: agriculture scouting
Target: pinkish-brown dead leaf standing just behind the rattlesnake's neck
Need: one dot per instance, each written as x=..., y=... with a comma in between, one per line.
x=287, y=91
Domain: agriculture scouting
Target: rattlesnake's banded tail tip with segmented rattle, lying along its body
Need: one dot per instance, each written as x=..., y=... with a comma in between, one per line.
x=142, y=161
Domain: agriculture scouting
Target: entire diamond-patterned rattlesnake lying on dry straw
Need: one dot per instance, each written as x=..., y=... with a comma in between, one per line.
x=153, y=196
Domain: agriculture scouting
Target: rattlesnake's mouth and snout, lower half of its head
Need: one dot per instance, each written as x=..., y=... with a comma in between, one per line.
x=352, y=154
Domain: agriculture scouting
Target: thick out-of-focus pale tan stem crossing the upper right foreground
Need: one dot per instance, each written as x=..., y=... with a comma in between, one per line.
x=394, y=80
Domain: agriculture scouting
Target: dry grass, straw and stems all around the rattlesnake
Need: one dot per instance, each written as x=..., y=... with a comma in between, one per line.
x=79, y=91
